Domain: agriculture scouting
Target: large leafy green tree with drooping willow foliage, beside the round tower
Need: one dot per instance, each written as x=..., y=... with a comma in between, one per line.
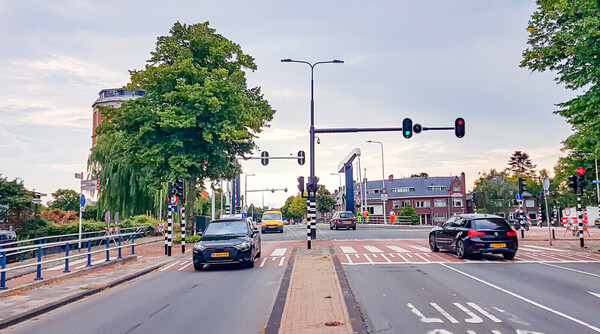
x=197, y=116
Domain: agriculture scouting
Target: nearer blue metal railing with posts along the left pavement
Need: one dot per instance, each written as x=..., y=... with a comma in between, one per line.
x=67, y=245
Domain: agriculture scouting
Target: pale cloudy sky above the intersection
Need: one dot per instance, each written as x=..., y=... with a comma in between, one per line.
x=431, y=61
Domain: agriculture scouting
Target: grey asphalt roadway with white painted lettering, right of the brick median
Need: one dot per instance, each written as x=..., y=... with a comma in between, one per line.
x=478, y=297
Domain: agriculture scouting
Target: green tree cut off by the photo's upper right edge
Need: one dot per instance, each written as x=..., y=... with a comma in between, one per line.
x=564, y=38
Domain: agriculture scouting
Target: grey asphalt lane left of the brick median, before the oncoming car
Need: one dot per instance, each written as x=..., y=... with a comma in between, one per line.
x=219, y=300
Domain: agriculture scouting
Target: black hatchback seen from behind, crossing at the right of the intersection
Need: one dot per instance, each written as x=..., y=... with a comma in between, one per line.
x=473, y=234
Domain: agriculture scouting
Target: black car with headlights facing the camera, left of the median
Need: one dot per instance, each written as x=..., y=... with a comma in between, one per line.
x=228, y=241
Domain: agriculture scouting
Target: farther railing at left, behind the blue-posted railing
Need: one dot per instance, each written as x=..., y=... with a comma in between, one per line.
x=56, y=239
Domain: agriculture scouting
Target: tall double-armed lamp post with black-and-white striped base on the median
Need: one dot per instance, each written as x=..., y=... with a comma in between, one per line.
x=312, y=189
